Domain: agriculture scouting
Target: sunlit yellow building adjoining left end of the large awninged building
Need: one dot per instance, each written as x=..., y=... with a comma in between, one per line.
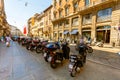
x=40, y=25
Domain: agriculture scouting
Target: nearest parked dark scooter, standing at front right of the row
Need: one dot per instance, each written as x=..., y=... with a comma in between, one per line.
x=77, y=61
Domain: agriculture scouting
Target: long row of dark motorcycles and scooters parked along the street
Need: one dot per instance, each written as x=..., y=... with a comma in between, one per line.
x=56, y=52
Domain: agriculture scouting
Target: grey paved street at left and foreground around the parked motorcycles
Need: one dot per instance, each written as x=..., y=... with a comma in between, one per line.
x=17, y=63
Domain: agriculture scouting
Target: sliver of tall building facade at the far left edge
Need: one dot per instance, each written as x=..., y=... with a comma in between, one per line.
x=4, y=26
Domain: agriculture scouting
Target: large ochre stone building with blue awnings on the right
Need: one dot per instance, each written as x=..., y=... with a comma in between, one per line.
x=90, y=18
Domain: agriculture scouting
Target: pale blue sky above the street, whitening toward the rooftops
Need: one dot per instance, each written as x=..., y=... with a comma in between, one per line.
x=19, y=11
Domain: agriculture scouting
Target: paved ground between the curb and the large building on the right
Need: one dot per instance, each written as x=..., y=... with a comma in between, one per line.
x=106, y=55
